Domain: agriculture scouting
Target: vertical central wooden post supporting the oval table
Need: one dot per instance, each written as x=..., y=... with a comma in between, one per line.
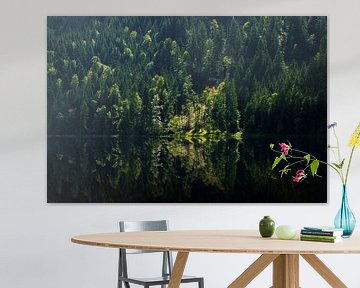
x=286, y=271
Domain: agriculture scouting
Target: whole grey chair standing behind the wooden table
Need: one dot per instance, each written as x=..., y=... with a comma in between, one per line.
x=167, y=263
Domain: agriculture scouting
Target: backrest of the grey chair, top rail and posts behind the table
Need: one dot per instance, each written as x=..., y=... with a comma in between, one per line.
x=134, y=226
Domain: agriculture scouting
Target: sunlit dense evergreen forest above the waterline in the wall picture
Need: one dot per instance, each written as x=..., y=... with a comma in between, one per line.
x=195, y=75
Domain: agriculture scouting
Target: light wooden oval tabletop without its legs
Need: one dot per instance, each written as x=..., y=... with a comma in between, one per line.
x=217, y=241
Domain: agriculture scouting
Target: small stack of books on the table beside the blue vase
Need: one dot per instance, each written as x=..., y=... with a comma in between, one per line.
x=321, y=234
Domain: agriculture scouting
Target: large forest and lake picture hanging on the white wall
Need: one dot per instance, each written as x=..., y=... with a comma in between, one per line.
x=182, y=109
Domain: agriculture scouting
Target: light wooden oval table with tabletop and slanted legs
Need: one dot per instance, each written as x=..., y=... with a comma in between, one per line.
x=284, y=254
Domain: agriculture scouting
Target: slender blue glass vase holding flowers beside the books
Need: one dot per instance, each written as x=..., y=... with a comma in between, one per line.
x=345, y=219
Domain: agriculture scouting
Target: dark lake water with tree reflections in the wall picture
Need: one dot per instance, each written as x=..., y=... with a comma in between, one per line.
x=153, y=170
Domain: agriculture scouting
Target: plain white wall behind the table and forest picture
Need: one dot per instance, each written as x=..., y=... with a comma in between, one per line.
x=35, y=248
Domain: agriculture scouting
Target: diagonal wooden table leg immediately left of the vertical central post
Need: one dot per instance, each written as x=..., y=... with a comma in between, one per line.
x=253, y=270
